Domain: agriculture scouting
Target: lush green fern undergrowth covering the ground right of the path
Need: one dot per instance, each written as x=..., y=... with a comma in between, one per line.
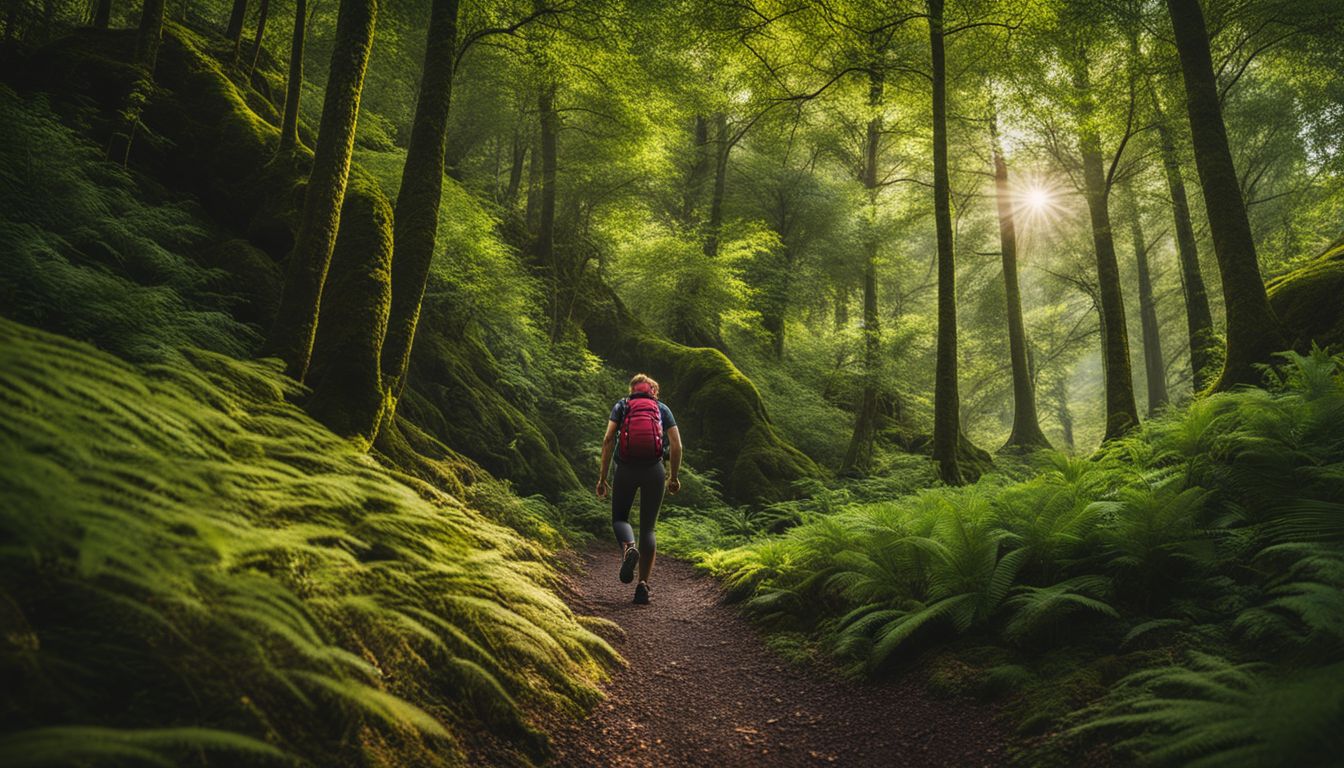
x=1161, y=597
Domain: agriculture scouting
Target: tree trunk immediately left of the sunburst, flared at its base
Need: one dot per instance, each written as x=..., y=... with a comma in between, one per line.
x=1026, y=426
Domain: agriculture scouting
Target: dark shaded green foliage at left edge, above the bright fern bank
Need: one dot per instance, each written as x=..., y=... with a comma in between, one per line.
x=91, y=256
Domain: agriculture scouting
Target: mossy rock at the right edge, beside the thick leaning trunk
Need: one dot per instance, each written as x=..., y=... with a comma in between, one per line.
x=1307, y=301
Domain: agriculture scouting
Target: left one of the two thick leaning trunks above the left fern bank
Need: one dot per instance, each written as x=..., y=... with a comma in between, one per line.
x=296, y=319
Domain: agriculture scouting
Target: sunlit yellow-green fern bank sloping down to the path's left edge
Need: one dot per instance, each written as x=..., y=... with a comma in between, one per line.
x=257, y=579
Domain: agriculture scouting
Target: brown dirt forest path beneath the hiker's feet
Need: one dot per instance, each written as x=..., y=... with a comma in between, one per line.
x=702, y=689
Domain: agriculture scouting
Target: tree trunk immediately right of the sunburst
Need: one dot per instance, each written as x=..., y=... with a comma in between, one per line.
x=1122, y=412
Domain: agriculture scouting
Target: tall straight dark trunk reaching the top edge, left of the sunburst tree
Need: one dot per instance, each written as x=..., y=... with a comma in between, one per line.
x=958, y=458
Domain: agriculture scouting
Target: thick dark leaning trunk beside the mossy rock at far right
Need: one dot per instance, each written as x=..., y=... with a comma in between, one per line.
x=1253, y=330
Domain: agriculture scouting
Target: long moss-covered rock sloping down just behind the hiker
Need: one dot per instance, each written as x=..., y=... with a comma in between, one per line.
x=718, y=410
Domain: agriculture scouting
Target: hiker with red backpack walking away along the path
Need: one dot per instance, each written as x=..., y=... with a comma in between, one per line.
x=644, y=435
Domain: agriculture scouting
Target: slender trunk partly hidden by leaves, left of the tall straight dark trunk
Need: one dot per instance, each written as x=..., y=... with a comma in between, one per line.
x=859, y=453
